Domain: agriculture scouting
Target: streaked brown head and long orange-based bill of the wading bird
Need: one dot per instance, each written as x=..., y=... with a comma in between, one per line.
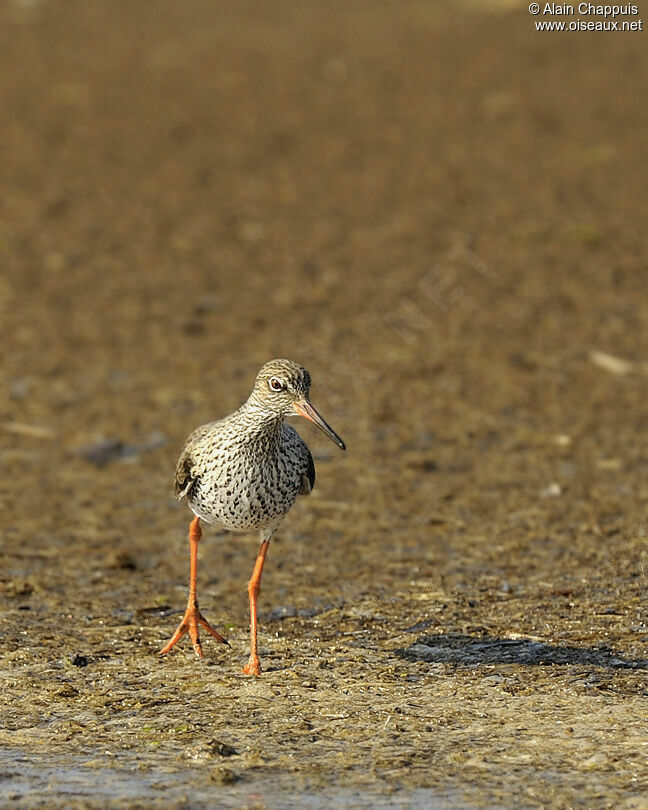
x=282, y=388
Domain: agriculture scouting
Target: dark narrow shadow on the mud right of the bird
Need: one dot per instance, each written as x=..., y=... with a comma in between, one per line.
x=461, y=649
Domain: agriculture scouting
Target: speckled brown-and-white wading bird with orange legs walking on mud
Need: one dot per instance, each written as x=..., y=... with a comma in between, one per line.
x=243, y=473
